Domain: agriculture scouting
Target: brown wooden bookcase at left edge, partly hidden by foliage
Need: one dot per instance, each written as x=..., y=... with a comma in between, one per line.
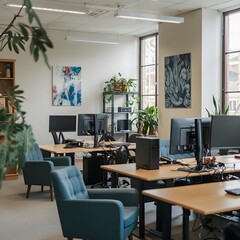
x=7, y=80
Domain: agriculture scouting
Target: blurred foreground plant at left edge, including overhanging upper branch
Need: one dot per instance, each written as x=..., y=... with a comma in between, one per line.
x=16, y=135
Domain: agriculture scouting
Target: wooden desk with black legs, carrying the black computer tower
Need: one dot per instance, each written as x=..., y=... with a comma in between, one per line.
x=165, y=172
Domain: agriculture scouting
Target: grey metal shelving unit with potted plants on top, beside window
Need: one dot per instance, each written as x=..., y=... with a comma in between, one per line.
x=112, y=101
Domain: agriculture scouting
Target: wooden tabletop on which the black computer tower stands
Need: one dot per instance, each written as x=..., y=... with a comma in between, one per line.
x=170, y=171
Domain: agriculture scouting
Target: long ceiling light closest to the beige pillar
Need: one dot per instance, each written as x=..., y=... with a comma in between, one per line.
x=148, y=17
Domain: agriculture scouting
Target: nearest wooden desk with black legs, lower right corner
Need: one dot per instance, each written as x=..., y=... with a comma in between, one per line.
x=205, y=199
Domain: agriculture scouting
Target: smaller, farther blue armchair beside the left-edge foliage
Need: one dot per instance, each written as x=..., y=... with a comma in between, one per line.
x=36, y=170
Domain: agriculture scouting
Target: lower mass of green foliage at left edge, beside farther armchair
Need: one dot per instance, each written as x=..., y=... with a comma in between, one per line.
x=18, y=135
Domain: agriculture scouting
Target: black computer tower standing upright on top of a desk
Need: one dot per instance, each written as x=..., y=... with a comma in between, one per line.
x=147, y=152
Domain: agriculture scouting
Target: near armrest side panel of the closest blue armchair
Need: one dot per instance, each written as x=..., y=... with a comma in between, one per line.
x=86, y=217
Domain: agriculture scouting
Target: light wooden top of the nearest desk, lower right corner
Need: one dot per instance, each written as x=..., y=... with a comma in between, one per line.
x=209, y=198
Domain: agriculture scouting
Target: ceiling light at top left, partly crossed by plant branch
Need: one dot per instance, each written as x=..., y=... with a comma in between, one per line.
x=50, y=6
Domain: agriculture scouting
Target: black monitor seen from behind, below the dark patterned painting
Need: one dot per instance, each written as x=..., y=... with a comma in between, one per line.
x=183, y=135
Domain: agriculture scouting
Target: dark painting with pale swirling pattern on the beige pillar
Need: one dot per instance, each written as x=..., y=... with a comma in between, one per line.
x=178, y=81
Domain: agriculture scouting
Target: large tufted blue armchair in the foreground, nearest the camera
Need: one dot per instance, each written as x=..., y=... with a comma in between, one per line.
x=93, y=214
